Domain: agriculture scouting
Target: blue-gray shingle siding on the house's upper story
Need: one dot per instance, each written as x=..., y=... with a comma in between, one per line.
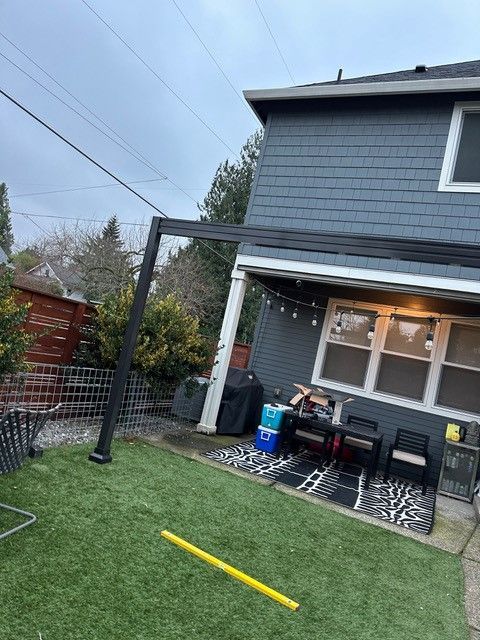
x=363, y=166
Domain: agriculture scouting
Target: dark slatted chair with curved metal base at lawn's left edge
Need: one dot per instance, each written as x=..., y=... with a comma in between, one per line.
x=18, y=430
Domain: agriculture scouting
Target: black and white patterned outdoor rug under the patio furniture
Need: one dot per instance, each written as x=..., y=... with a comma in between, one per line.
x=396, y=500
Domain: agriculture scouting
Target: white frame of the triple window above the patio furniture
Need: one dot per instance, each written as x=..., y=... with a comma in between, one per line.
x=437, y=356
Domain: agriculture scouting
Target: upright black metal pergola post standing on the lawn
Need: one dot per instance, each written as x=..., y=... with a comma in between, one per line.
x=101, y=453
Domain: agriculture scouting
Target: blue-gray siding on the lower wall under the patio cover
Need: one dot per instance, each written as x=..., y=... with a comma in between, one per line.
x=284, y=352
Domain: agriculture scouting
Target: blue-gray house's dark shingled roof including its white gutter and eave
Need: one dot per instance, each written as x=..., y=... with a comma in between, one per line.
x=457, y=77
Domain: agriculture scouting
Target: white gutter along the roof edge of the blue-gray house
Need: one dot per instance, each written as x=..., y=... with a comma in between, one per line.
x=364, y=89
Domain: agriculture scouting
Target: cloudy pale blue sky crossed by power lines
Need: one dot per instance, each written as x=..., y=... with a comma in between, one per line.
x=316, y=37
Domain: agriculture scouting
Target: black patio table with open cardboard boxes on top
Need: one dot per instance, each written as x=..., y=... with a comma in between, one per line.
x=343, y=430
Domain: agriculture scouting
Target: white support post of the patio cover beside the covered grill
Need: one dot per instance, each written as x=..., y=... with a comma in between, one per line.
x=208, y=421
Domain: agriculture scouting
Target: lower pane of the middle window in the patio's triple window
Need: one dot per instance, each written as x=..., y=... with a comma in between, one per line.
x=402, y=377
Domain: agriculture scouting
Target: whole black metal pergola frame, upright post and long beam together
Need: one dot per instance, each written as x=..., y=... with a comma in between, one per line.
x=323, y=242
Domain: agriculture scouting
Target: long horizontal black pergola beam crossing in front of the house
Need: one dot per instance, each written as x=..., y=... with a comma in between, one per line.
x=467, y=255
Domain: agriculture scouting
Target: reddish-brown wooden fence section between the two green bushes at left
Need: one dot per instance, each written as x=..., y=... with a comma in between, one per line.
x=59, y=320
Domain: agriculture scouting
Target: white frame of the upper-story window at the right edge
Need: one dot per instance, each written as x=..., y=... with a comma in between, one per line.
x=446, y=183
